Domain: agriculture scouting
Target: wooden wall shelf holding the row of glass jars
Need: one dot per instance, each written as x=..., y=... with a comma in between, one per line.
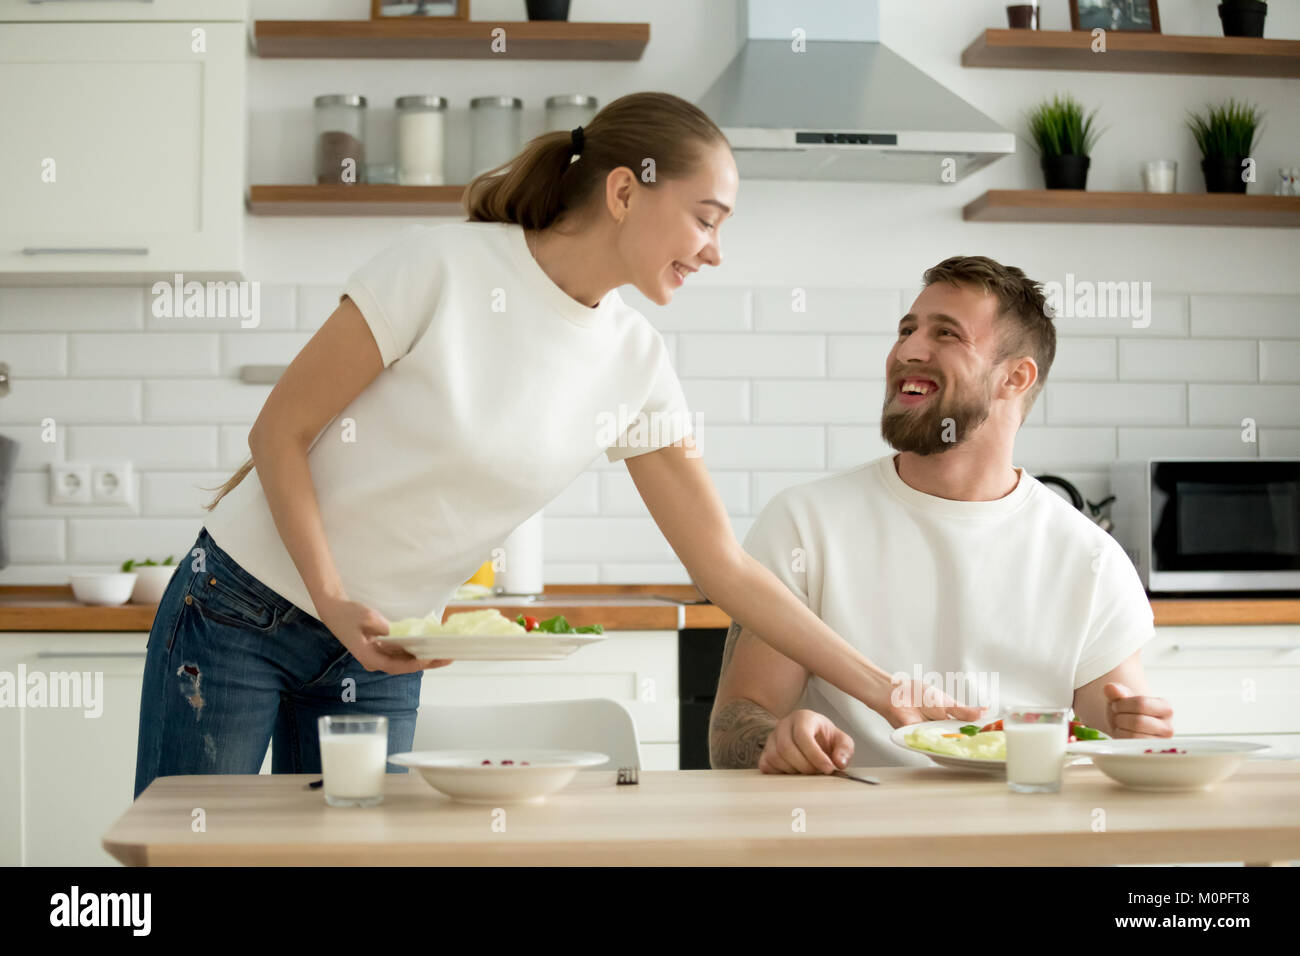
x=361, y=200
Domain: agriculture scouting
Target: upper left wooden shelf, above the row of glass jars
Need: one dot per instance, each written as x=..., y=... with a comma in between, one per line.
x=448, y=40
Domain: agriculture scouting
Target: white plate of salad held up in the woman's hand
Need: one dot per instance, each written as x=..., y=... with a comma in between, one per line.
x=489, y=635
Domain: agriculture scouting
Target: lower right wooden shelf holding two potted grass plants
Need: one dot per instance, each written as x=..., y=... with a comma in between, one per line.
x=1147, y=209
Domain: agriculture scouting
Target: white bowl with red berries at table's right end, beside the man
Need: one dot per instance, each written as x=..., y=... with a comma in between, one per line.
x=1201, y=764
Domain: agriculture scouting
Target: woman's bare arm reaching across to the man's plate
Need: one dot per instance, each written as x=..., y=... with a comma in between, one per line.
x=686, y=505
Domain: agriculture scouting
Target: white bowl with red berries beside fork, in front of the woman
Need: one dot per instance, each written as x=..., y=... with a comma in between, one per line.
x=462, y=775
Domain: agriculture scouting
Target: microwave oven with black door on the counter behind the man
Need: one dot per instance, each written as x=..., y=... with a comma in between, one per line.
x=1210, y=525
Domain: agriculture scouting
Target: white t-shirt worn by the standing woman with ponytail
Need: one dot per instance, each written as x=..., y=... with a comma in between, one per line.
x=499, y=391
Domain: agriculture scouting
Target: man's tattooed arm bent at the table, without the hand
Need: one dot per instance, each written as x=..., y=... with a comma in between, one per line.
x=757, y=687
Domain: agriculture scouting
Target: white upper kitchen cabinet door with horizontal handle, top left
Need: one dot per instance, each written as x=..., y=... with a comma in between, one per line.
x=144, y=139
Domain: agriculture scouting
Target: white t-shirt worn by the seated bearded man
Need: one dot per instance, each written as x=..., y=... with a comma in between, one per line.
x=1016, y=600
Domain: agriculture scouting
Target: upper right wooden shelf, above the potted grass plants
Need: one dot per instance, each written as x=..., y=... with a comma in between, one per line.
x=1134, y=53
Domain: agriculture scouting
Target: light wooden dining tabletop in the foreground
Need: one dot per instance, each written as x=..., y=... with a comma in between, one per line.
x=917, y=816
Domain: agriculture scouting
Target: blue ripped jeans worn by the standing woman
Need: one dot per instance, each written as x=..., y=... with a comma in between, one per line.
x=231, y=665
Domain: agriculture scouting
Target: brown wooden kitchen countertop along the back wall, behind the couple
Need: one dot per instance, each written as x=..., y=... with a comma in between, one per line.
x=617, y=607
